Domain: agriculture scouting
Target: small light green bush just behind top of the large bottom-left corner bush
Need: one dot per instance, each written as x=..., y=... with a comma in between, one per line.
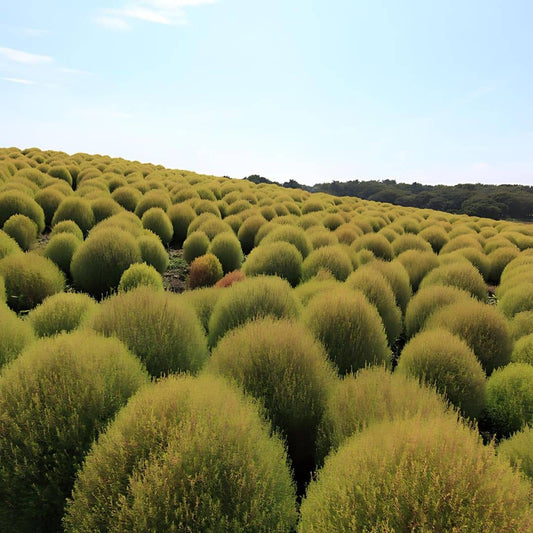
x=60, y=313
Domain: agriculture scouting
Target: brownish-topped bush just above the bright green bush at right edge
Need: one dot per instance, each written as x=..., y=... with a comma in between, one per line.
x=483, y=328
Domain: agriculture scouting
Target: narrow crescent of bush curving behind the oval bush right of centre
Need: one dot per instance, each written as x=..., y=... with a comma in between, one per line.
x=379, y=293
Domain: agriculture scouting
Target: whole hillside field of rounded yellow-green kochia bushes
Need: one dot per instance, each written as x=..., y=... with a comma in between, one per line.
x=181, y=352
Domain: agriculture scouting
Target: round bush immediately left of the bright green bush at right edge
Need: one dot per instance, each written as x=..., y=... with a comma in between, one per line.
x=443, y=360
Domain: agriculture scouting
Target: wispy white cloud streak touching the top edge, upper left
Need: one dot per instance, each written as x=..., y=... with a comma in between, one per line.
x=166, y=12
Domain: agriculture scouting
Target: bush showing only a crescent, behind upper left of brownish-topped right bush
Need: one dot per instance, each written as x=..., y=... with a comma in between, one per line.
x=427, y=301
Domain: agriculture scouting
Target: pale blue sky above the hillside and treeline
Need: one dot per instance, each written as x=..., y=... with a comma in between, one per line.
x=417, y=90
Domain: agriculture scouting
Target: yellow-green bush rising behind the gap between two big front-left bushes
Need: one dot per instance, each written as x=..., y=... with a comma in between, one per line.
x=157, y=326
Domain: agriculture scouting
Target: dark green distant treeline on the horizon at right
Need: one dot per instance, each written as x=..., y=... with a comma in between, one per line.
x=491, y=201
